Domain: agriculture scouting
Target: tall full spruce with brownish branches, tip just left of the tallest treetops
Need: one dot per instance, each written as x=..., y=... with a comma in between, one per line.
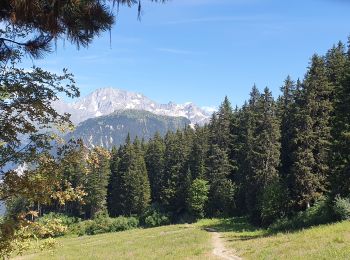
x=310, y=158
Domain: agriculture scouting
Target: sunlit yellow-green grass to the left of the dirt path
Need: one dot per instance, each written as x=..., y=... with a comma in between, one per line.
x=169, y=242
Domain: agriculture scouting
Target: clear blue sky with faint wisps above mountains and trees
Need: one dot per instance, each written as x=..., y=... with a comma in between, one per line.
x=202, y=50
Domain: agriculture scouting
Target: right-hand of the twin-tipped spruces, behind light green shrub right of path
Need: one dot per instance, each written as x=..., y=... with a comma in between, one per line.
x=265, y=155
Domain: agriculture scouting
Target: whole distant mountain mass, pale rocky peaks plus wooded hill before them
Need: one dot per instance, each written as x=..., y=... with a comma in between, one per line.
x=106, y=116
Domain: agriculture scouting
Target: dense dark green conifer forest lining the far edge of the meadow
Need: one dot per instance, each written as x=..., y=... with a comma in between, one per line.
x=269, y=160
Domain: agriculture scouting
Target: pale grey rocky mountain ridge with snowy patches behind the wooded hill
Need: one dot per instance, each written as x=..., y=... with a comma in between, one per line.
x=108, y=100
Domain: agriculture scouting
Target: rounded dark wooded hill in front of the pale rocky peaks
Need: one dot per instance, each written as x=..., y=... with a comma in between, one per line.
x=112, y=130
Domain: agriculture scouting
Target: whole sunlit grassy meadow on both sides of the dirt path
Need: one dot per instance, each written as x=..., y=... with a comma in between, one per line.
x=193, y=242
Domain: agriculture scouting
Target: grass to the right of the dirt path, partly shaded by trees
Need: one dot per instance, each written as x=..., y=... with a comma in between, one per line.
x=321, y=242
